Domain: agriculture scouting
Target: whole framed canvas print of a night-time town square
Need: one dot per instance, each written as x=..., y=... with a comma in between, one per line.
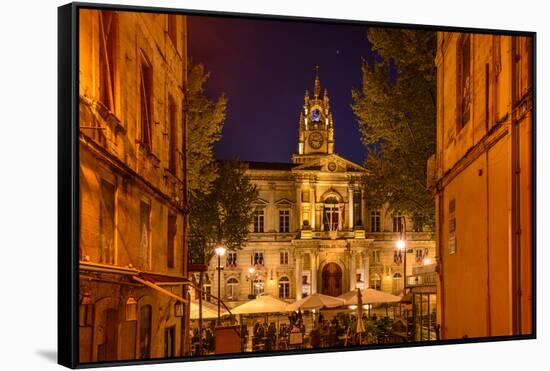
x=236, y=185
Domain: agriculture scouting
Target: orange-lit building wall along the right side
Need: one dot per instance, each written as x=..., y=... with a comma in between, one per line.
x=482, y=180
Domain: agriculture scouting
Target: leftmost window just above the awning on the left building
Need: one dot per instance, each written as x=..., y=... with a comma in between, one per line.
x=107, y=223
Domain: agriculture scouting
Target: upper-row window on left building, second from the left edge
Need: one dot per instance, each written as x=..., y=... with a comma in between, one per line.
x=146, y=102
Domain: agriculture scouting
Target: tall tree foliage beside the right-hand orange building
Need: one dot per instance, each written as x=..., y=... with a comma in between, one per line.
x=396, y=113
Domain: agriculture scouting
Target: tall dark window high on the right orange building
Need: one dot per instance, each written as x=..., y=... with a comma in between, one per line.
x=464, y=80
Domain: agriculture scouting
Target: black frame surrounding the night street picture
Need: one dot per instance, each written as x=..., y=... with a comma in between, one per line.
x=68, y=183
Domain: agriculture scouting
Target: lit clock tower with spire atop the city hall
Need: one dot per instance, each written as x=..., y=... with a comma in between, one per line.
x=316, y=131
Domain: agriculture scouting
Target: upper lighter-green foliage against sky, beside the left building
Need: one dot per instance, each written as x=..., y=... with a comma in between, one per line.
x=205, y=119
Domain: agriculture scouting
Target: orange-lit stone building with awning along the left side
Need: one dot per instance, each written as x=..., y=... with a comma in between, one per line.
x=132, y=184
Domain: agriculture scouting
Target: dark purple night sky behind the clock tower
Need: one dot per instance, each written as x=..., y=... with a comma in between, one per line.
x=264, y=68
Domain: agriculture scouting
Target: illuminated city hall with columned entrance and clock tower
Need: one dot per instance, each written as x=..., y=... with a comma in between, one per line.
x=311, y=231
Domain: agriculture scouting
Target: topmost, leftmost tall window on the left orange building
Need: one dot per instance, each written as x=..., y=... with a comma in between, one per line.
x=108, y=22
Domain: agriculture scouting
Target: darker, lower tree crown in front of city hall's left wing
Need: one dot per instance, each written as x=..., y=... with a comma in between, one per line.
x=223, y=214
